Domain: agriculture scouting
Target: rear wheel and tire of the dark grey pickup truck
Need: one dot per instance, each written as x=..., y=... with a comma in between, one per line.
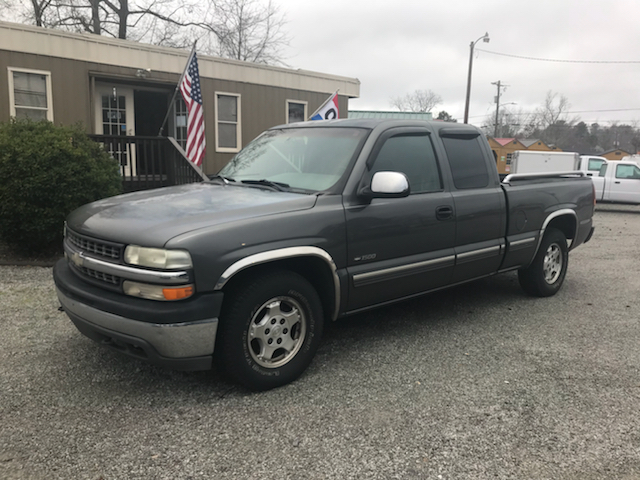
x=545, y=275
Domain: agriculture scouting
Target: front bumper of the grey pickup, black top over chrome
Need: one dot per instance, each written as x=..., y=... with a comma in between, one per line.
x=179, y=335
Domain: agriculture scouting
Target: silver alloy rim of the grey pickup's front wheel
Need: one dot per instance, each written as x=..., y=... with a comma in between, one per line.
x=276, y=332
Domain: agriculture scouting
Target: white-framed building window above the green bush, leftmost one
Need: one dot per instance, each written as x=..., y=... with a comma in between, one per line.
x=30, y=94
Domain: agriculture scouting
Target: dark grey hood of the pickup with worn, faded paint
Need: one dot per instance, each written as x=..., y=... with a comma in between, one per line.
x=153, y=217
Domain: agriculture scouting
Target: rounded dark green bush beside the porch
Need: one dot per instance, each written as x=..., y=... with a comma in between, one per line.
x=46, y=171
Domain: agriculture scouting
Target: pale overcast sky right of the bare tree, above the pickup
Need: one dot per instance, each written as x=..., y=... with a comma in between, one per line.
x=395, y=47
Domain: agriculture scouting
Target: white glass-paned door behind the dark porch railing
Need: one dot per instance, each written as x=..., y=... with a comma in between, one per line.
x=114, y=116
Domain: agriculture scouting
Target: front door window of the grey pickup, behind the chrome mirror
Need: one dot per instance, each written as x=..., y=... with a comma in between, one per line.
x=412, y=155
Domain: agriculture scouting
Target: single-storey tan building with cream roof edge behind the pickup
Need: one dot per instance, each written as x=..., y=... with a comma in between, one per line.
x=122, y=89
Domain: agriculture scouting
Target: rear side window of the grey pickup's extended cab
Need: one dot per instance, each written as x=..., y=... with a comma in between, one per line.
x=468, y=165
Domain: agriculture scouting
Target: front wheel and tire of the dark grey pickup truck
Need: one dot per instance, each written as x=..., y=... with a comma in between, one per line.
x=269, y=330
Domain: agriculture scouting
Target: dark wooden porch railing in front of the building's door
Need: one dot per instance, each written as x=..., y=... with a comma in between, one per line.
x=149, y=162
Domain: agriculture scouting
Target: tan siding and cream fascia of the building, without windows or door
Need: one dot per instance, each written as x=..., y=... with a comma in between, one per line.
x=78, y=62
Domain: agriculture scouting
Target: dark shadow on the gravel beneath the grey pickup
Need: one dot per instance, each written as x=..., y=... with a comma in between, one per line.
x=129, y=380
